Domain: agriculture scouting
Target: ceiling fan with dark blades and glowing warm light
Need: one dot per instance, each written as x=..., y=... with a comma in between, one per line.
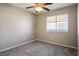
x=39, y=7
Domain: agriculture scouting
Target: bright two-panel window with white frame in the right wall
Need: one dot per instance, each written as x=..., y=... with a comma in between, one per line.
x=57, y=23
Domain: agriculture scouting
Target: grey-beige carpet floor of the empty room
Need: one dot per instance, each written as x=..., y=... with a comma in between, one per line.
x=38, y=48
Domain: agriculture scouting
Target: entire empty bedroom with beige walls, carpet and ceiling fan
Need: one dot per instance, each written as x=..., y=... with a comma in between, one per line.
x=38, y=29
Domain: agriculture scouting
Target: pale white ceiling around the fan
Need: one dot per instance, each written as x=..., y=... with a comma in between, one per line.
x=51, y=7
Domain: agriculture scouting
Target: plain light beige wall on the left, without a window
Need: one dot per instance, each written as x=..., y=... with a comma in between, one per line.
x=16, y=26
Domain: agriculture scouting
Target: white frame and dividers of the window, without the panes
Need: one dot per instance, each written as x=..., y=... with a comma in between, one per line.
x=56, y=21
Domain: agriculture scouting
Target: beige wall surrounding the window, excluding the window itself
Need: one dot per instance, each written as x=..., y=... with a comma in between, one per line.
x=65, y=38
